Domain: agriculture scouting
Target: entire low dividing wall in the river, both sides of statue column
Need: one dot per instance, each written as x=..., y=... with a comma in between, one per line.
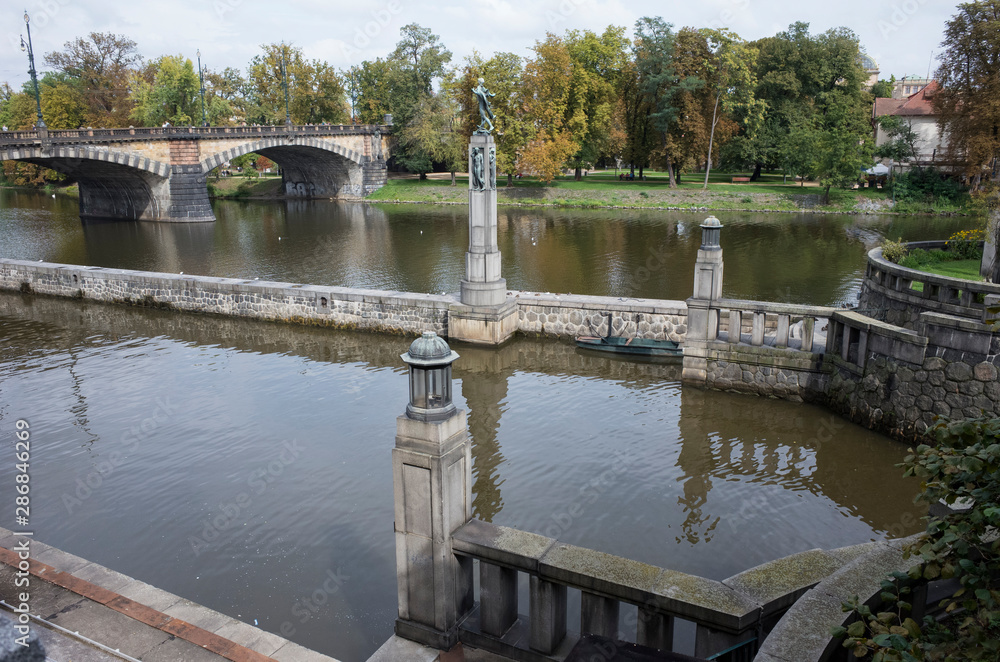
x=372, y=310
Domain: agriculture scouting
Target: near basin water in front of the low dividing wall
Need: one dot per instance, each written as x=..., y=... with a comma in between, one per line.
x=609, y=454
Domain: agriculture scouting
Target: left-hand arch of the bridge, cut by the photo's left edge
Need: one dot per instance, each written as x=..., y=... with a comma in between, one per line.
x=113, y=184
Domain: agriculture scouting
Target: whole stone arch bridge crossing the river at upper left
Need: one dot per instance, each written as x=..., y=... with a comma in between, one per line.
x=159, y=174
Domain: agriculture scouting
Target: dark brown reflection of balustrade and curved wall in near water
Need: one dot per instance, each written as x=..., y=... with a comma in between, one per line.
x=787, y=445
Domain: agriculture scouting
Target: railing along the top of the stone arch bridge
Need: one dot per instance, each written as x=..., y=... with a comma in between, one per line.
x=146, y=133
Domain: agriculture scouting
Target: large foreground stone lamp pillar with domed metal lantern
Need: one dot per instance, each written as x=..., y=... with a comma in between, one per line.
x=432, y=484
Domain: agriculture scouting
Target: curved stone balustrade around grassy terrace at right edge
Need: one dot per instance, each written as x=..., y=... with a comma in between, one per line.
x=900, y=295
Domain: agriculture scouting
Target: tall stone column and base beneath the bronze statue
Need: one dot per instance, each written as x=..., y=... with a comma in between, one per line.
x=484, y=315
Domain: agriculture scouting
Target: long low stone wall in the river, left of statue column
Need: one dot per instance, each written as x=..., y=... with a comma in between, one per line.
x=306, y=304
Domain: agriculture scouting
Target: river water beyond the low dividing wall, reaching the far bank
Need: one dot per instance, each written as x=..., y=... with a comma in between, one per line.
x=798, y=258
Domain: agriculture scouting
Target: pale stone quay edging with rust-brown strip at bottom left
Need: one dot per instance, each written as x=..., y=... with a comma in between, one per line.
x=220, y=634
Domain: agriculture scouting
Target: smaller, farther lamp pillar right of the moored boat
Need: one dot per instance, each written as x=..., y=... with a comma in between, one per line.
x=703, y=317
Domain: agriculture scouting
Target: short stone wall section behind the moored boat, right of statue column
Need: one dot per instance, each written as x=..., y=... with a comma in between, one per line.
x=571, y=315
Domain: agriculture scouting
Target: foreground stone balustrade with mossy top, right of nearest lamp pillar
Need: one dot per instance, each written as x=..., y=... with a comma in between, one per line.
x=730, y=616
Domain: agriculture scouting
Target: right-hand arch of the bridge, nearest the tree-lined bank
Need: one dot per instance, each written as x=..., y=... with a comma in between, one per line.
x=311, y=167
